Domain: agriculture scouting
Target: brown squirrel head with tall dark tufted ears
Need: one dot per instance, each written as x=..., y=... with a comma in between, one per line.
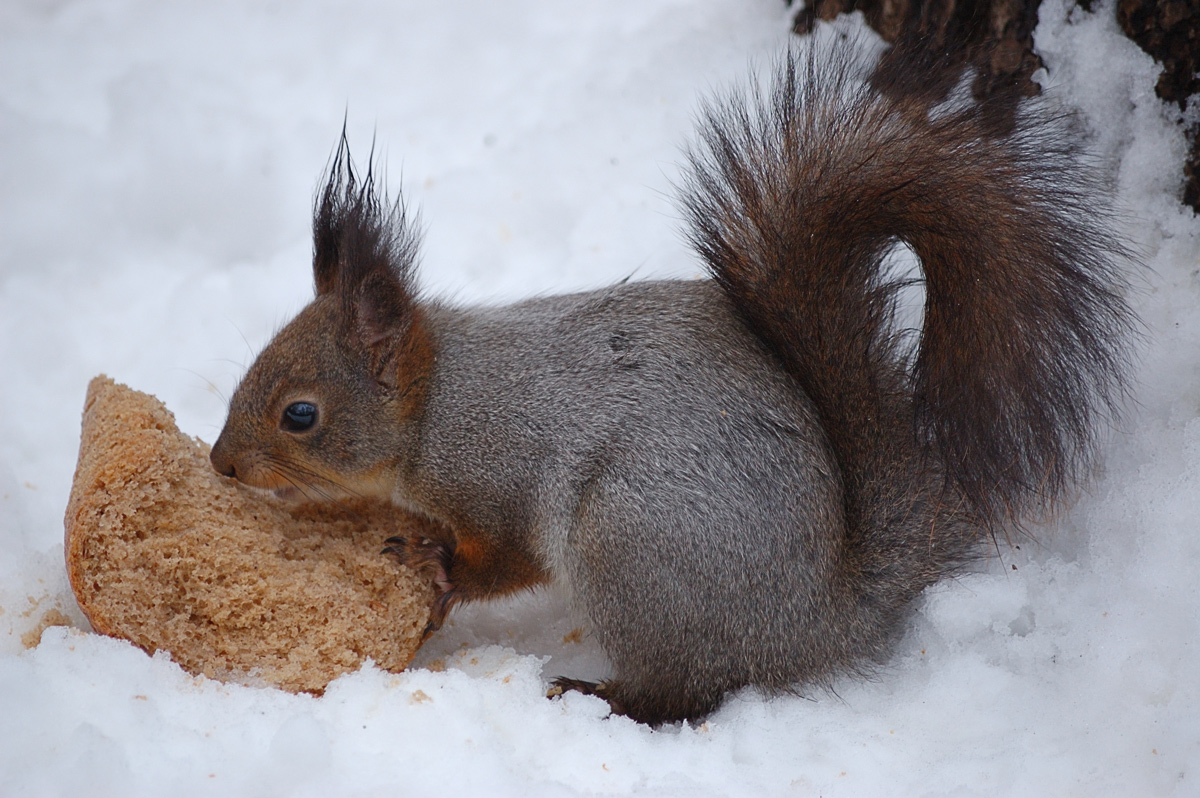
x=329, y=407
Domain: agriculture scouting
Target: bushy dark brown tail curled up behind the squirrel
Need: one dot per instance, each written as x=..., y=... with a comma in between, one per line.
x=797, y=195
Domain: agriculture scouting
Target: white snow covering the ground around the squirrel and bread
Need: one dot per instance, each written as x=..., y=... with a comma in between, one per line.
x=158, y=163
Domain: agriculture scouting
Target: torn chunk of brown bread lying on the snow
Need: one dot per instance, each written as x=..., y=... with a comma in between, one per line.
x=233, y=583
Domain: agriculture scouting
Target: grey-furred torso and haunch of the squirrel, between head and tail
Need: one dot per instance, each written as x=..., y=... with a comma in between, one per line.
x=670, y=472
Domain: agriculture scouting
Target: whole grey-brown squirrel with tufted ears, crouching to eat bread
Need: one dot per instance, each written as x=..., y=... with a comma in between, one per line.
x=743, y=481
